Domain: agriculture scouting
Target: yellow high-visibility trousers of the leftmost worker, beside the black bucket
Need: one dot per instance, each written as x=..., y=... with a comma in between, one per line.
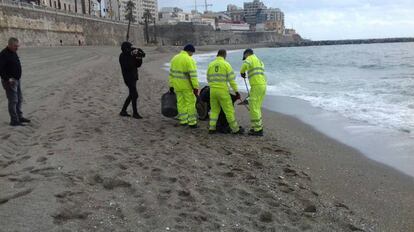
x=186, y=106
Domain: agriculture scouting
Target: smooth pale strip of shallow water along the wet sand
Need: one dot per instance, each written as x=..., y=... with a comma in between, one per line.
x=375, y=143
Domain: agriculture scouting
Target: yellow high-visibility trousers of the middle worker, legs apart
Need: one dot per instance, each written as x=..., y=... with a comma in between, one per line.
x=221, y=99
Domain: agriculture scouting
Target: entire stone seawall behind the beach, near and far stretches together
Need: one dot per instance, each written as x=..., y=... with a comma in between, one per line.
x=36, y=26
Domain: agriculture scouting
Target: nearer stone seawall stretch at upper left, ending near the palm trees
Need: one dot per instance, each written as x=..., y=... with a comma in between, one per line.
x=40, y=27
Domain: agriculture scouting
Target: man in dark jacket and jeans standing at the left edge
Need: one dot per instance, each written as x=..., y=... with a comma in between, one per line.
x=11, y=72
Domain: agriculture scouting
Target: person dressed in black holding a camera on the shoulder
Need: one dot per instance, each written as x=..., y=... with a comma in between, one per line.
x=130, y=61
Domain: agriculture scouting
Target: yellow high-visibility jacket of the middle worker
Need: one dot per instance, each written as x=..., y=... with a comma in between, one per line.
x=220, y=74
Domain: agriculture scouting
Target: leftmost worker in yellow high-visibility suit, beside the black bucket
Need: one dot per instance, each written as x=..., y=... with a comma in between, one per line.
x=183, y=81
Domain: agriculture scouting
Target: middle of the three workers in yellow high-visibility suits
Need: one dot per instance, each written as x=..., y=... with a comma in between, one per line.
x=220, y=75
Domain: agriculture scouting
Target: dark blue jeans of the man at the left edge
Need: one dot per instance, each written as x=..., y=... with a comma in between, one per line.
x=14, y=95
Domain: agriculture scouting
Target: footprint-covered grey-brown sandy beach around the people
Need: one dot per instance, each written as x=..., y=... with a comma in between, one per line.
x=81, y=167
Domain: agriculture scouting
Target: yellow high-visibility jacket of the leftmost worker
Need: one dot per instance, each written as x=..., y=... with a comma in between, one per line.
x=183, y=72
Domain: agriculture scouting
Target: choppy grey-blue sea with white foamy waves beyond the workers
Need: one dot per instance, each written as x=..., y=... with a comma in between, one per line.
x=368, y=83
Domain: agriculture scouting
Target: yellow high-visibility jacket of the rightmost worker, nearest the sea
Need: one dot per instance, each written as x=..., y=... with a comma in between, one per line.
x=255, y=70
